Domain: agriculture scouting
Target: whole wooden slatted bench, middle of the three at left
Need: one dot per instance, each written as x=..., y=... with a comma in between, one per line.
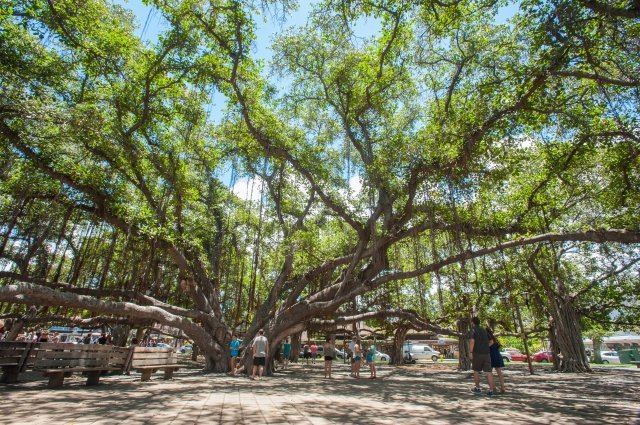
x=57, y=360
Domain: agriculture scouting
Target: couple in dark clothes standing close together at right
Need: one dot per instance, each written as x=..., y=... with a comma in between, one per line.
x=485, y=356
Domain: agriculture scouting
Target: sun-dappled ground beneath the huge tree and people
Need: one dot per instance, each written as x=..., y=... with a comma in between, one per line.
x=420, y=394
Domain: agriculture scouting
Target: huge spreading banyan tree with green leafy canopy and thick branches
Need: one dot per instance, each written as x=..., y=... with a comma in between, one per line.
x=449, y=160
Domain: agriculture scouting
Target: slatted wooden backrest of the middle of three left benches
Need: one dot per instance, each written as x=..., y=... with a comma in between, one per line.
x=65, y=355
